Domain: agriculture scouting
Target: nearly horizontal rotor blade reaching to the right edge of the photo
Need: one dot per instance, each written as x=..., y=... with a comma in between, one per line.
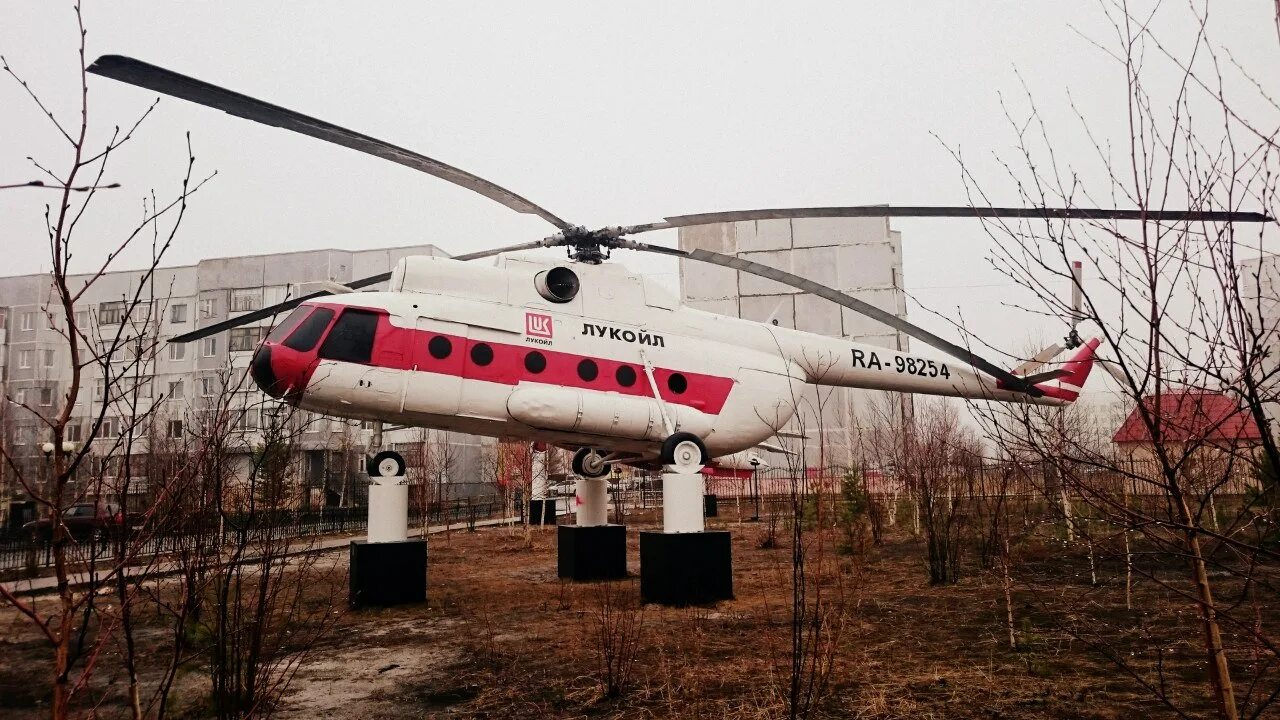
x=952, y=212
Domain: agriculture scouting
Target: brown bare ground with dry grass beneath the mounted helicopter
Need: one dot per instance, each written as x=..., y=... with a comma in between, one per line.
x=502, y=637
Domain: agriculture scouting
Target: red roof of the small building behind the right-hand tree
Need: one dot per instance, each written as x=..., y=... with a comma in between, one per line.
x=1192, y=416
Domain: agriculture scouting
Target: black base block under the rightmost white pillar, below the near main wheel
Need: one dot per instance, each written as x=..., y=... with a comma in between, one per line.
x=687, y=568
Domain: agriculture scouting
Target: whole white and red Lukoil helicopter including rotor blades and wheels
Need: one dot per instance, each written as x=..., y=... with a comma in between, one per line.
x=584, y=354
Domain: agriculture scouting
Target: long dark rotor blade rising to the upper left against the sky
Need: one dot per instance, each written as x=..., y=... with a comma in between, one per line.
x=161, y=80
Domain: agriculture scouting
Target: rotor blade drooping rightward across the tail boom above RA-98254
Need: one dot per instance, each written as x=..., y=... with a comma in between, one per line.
x=1008, y=380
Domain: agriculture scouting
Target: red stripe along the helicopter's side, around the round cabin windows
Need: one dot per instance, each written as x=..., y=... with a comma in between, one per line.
x=404, y=349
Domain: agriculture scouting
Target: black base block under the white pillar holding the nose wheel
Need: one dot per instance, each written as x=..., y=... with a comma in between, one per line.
x=387, y=573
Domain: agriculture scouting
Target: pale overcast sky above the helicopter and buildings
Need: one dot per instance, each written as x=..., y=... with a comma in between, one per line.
x=604, y=113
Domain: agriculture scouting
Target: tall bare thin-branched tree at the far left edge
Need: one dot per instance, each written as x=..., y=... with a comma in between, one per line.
x=108, y=440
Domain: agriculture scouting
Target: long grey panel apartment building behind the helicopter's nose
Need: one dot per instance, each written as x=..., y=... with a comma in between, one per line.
x=179, y=381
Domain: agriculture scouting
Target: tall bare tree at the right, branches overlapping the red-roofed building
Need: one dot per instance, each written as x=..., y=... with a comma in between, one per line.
x=1177, y=330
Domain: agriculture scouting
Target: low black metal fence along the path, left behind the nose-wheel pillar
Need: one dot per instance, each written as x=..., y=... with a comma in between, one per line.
x=25, y=550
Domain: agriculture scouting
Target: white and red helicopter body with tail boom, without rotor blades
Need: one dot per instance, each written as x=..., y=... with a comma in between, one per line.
x=619, y=367
